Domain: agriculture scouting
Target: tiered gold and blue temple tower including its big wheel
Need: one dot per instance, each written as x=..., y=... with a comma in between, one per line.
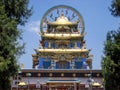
x=62, y=44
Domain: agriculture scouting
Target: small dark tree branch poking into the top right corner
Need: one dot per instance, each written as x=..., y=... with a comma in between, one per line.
x=115, y=8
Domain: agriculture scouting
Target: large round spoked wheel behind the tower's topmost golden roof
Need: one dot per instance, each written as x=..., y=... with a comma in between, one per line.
x=70, y=15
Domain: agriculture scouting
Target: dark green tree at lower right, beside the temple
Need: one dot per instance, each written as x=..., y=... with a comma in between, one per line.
x=111, y=61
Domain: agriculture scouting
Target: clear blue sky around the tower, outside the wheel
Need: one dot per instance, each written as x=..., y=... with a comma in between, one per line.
x=98, y=21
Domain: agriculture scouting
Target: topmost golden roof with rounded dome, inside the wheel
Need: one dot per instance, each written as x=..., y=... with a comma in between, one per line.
x=62, y=20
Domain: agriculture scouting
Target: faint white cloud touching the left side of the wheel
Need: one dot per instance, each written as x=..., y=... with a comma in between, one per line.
x=34, y=26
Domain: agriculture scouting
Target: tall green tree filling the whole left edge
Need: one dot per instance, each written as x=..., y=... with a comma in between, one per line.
x=12, y=14
